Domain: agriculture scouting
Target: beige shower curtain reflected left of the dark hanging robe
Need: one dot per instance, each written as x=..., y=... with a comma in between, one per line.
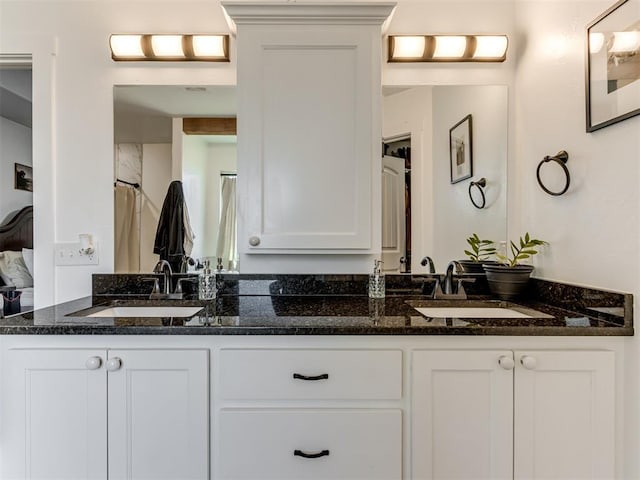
x=127, y=231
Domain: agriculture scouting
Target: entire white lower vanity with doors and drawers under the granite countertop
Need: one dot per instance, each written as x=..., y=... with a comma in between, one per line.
x=310, y=407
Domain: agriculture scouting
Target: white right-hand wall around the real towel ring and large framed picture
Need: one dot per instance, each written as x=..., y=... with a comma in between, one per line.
x=598, y=216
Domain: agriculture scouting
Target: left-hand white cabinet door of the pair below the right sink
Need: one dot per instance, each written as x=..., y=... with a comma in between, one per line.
x=462, y=413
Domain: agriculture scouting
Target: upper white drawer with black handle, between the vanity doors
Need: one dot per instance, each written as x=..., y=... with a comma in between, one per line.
x=310, y=374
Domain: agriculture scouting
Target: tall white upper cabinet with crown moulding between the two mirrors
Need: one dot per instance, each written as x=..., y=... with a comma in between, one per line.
x=309, y=113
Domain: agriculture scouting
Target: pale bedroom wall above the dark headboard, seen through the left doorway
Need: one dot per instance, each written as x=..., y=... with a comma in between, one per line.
x=15, y=147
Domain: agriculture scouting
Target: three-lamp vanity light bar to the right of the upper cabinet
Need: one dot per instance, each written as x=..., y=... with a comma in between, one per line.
x=447, y=48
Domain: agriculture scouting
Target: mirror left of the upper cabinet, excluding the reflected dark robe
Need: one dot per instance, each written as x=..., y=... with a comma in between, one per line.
x=154, y=145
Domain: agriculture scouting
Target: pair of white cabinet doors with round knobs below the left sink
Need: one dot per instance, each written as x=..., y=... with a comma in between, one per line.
x=105, y=414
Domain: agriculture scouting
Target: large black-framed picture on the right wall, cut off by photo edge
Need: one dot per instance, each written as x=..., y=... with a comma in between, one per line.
x=613, y=66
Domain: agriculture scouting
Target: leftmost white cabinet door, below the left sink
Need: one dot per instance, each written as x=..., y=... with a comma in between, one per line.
x=54, y=415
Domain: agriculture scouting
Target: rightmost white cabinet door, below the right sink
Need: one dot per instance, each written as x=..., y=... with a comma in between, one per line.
x=564, y=416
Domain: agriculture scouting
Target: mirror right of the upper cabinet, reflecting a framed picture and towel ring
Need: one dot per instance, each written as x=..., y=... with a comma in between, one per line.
x=427, y=171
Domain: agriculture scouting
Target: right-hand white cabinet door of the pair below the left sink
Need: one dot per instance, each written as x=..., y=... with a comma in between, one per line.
x=158, y=414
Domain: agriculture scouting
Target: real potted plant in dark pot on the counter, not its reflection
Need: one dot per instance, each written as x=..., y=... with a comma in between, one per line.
x=509, y=278
